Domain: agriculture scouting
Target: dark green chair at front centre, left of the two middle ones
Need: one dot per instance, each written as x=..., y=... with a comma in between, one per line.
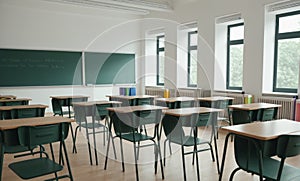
x=126, y=127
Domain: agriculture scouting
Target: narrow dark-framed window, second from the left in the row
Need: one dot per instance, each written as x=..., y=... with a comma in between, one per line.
x=192, y=58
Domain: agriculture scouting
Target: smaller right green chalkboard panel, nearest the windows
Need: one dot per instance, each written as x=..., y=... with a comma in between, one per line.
x=109, y=68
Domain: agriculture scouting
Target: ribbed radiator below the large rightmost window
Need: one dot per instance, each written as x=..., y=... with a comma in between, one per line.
x=287, y=109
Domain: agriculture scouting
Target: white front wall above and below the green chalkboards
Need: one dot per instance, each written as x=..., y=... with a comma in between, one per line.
x=43, y=25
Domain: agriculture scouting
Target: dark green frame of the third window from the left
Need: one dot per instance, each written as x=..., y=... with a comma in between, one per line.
x=229, y=43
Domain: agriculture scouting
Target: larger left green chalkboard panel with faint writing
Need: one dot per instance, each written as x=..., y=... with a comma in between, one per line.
x=39, y=68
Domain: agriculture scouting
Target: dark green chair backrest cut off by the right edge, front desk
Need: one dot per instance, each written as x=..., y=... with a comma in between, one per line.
x=288, y=146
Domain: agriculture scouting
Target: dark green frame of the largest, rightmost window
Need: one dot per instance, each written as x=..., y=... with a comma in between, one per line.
x=282, y=36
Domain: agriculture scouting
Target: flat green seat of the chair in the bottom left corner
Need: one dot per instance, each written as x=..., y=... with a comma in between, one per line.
x=42, y=166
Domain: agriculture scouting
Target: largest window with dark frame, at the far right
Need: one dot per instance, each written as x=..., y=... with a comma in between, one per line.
x=287, y=52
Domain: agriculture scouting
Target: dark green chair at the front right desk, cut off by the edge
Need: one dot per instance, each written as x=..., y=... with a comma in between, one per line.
x=248, y=158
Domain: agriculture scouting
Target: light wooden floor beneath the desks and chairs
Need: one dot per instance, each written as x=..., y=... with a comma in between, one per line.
x=83, y=171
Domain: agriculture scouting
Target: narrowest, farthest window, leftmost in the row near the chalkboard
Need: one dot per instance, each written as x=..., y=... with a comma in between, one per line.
x=160, y=54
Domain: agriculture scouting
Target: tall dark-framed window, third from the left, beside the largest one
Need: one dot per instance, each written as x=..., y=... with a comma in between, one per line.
x=235, y=46
